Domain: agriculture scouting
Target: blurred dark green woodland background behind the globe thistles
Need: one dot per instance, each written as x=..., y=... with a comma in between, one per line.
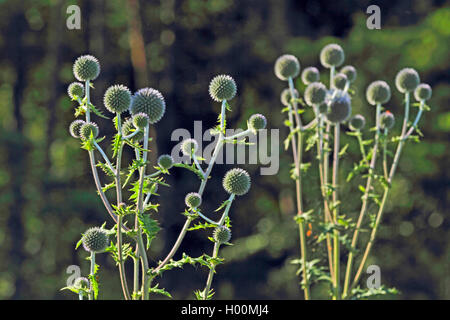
x=47, y=195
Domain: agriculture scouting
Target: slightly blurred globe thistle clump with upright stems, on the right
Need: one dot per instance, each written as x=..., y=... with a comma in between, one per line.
x=331, y=106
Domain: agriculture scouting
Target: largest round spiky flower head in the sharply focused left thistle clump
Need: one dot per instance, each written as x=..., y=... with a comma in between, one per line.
x=149, y=101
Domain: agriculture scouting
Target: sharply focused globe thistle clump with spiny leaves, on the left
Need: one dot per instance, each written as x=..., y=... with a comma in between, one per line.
x=134, y=213
